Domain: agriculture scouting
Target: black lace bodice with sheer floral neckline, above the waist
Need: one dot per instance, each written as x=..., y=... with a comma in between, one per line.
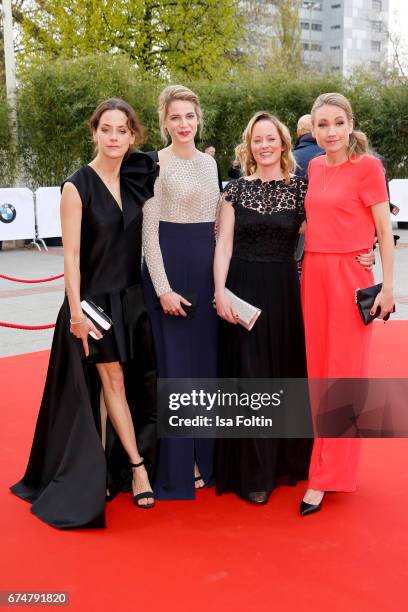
x=267, y=217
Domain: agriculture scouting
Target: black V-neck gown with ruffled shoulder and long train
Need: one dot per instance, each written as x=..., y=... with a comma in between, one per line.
x=68, y=469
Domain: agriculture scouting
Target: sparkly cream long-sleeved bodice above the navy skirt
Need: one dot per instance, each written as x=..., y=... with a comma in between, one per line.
x=185, y=192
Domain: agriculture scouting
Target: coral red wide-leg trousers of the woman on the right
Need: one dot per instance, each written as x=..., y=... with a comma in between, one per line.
x=337, y=346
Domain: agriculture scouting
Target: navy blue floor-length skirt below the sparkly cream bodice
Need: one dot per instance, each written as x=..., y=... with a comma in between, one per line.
x=186, y=347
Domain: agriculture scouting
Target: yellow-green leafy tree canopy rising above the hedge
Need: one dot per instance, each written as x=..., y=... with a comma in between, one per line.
x=163, y=37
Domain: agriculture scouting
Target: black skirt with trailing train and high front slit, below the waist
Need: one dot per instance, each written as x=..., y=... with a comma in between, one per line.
x=69, y=470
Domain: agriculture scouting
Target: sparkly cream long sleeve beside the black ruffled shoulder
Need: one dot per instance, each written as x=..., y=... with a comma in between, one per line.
x=151, y=245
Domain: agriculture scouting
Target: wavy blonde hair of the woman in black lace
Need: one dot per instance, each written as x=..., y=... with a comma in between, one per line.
x=244, y=153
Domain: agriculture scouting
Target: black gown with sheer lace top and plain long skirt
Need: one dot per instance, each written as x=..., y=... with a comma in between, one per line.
x=263, y=272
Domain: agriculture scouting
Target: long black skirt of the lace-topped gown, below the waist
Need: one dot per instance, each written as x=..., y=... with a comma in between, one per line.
x=274, y=348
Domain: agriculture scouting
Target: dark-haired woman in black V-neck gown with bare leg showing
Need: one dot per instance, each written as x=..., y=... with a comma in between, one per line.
x=70, y=470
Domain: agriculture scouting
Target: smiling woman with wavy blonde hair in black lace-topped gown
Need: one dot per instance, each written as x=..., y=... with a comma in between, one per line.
x=260, y=219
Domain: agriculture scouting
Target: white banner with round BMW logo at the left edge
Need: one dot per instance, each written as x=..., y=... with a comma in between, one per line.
x=17, y=221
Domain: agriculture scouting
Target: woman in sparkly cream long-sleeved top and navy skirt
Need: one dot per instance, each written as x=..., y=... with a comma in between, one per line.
x=178, y=244
